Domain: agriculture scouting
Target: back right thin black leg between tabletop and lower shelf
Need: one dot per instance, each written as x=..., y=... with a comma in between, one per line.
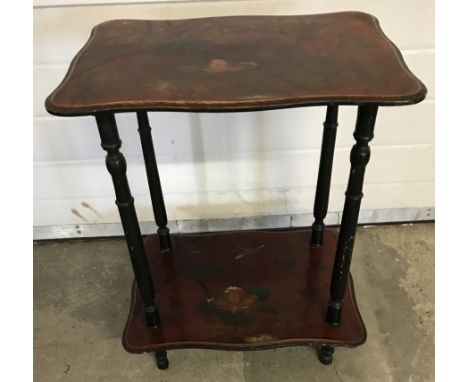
x=322, y=191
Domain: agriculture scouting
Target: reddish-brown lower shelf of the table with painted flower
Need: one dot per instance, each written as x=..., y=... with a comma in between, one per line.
x=242, y=290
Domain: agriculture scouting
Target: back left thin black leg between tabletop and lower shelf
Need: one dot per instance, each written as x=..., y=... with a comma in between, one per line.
x=154, y=183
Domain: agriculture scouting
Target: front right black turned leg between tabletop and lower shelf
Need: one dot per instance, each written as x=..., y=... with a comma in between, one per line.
x=360, y=155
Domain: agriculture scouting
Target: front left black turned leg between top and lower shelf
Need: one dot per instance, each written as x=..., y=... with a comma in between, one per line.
x=117, y=166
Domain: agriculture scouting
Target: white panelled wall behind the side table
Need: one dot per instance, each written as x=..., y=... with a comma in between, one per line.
x=227, y=165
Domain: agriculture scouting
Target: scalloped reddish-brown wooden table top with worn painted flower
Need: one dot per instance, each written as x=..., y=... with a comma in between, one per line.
x=235, y=63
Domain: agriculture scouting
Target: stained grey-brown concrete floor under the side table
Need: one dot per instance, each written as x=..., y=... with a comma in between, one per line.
x=81, y=299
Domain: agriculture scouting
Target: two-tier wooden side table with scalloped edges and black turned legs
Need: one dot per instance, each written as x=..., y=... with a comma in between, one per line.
x=239, y=290
